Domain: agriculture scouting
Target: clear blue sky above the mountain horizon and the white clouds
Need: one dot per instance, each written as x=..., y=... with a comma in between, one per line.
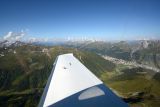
x=109, y=19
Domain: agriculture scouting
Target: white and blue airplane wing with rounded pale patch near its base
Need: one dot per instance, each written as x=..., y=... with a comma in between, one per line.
x=71, y=84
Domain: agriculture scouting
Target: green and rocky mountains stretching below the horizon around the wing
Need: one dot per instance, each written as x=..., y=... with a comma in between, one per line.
x=25, y=67
